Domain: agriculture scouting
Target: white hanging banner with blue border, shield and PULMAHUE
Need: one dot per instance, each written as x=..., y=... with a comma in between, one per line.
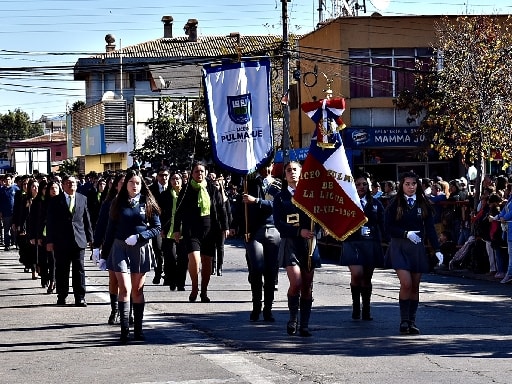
x=238, y=108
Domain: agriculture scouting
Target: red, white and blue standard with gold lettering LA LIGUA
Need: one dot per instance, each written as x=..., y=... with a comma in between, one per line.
x=326, y=191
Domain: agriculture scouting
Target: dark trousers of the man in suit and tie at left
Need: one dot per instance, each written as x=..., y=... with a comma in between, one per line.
x=64, y=259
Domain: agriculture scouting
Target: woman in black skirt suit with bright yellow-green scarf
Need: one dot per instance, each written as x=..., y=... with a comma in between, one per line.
x=199, y=208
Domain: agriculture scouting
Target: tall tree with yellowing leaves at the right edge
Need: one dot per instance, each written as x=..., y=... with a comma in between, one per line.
x=466, y=106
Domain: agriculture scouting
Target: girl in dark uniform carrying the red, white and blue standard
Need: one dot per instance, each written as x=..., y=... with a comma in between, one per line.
x=297, y=242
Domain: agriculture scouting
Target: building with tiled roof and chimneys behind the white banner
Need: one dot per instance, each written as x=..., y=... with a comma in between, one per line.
x=123, y=87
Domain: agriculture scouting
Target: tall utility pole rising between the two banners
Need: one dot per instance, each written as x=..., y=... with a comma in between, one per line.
x=286, y=84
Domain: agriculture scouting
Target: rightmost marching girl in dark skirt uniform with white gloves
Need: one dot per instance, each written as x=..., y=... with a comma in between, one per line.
x=409, y=219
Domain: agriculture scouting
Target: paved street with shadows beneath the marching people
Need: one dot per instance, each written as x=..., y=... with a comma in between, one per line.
x=466, y=336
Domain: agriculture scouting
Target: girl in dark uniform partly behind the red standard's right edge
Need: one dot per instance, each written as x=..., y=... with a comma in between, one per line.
x=362, y=250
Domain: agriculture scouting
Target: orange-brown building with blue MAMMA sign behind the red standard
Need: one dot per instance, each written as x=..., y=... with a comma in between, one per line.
x=369, y=61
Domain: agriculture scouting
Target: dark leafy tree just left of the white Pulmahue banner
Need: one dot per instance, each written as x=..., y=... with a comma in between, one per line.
x=178, y=134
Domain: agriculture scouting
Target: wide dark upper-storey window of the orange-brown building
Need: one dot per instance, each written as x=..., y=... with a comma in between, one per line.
x=383, y=72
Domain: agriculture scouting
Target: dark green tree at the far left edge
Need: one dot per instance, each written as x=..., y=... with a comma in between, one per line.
x=16, y=125
